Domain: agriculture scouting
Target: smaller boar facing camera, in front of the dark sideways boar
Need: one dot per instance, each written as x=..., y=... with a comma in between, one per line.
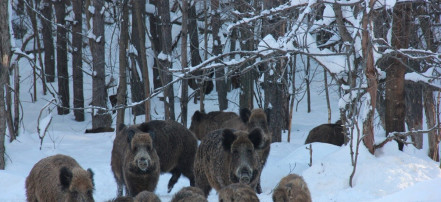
x=135, y=163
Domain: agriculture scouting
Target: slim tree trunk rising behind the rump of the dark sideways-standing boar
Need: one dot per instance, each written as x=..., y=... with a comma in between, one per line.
x=184, y=33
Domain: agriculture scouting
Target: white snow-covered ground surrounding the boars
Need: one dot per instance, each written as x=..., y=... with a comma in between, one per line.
x=389, y=175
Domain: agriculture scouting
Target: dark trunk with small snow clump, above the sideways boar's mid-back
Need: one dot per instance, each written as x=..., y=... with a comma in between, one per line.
x=165, y=58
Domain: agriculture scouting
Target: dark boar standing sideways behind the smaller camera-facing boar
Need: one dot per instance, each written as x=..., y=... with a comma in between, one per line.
x=176, y=147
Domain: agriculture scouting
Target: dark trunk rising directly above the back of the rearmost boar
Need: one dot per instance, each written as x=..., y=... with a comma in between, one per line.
x=221, y=86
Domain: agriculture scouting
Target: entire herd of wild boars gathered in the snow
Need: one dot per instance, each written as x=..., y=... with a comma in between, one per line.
x=232, y=153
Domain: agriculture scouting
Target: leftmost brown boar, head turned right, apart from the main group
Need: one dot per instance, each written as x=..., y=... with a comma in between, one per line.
x=59, y=178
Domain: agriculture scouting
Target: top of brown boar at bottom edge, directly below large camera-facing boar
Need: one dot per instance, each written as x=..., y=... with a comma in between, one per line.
x=237, y=192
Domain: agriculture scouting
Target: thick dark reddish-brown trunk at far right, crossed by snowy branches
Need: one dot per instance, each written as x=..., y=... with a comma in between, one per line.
x=395, y=106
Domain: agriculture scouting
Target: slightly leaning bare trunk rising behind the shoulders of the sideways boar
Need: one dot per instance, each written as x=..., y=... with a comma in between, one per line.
x=139, y=7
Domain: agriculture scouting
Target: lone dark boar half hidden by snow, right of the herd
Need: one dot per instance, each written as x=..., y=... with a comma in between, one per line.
x=327, y=133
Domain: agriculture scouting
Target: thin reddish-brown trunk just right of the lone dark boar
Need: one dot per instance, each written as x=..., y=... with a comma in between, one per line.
x=371, y=75
